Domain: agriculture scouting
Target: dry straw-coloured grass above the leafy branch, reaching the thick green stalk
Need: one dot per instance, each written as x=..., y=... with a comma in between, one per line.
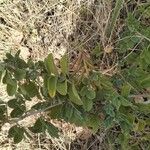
x=48, y=25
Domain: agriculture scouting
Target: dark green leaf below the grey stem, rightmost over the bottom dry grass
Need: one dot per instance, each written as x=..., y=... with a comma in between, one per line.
x=52, y=130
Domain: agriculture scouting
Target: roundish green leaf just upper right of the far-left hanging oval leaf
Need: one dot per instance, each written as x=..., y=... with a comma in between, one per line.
x=19, y=74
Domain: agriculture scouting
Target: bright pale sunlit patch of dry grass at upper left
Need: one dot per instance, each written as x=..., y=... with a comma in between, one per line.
x=36, y=26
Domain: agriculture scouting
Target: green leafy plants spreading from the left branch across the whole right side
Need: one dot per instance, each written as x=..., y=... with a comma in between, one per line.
x=79, y=92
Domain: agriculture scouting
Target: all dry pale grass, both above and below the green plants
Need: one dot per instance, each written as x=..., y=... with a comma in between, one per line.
x=38, y=27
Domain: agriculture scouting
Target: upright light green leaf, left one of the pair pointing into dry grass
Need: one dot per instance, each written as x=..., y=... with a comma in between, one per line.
x=50, y=65
